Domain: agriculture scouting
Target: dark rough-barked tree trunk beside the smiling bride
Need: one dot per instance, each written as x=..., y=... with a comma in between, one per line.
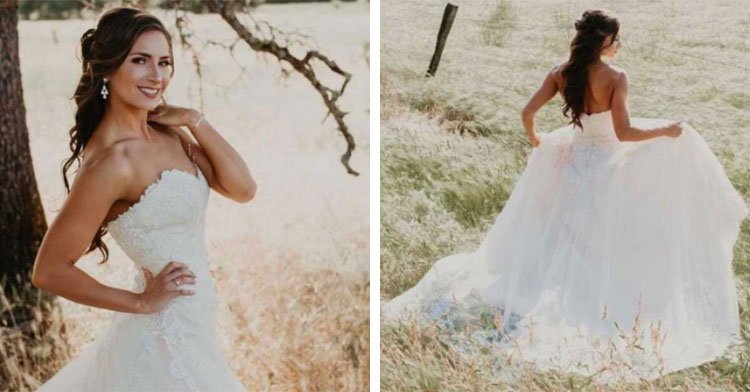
x=22, y=221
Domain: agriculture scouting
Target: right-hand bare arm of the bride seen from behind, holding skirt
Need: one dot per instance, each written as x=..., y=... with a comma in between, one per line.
x=621, y=117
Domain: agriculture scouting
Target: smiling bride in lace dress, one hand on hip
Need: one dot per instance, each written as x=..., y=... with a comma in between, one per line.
x=146, y=182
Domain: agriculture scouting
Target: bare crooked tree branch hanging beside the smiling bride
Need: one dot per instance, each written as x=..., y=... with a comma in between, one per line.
x=302, y=65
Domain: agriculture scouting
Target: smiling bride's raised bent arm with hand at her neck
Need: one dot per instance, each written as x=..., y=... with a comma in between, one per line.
x=228, y=174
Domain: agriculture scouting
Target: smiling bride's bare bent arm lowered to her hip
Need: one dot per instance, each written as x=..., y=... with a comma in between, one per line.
x=92, y=194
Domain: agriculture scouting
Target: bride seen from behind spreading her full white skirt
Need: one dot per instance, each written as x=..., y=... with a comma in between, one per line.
x=613, y=255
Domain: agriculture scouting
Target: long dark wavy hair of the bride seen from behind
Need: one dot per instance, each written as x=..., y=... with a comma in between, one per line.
x=592, y=30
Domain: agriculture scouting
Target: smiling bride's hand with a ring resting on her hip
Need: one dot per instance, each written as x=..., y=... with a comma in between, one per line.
x=165, y=286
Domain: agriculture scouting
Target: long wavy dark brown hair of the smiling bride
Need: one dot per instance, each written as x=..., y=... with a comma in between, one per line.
x=103, y=50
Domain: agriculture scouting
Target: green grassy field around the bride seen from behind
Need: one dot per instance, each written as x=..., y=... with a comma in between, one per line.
x=453, y=146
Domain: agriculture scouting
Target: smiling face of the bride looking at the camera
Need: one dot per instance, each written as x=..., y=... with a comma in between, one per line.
x=142, y=78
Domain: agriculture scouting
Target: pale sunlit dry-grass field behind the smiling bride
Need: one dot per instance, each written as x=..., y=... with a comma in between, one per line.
x=291, y=266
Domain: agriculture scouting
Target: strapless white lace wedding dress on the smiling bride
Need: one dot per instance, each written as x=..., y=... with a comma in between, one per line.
x=175, y=349
